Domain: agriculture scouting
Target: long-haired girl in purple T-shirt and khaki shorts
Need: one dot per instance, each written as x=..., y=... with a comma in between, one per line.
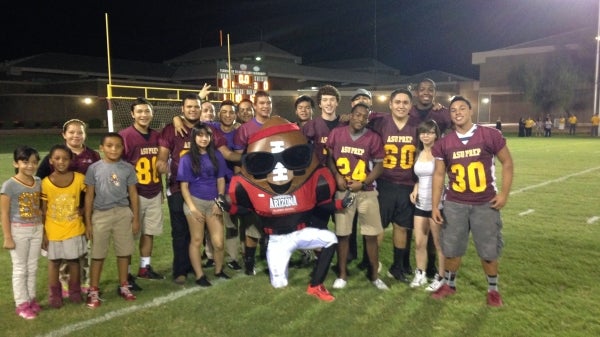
x=202, y=176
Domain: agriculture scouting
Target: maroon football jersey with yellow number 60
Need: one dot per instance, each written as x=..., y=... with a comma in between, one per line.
x=400, y=147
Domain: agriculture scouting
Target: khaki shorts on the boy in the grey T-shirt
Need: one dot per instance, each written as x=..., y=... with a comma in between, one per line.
x=116, y=223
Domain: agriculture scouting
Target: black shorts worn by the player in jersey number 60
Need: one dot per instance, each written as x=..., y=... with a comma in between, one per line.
x=395, y=205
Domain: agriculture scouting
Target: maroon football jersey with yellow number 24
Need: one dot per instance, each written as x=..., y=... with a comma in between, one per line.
x=353, y=157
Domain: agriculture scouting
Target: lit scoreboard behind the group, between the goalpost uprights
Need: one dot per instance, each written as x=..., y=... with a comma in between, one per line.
x=244, y=82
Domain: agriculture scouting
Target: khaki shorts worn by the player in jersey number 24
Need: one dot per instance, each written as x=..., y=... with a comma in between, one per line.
x=369, y=218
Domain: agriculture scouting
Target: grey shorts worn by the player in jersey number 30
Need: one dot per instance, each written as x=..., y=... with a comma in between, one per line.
x=482, y=221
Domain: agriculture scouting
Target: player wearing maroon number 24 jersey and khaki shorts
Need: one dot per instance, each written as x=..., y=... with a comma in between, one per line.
x=352, y=151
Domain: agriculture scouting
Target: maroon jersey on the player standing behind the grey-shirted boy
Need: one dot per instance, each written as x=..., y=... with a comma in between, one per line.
x=142, y=153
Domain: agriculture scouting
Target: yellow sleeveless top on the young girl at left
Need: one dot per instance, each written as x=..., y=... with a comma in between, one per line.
x=63, y=220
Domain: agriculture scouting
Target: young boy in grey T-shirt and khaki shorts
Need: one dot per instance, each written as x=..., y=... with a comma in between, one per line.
x=111, y=210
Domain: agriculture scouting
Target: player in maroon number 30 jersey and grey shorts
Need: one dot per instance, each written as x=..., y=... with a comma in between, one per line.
x=472, y=202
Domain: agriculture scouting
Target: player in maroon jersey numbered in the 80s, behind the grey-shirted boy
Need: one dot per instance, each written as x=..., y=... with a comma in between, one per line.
x=141, y=151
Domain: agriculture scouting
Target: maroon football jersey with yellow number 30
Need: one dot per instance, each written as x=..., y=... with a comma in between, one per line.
x=470, y=167
